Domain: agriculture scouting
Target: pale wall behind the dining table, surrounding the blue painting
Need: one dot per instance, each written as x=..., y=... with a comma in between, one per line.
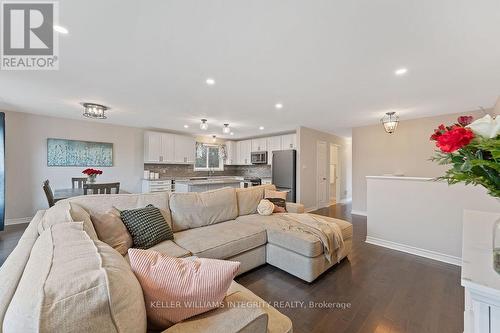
x=26, y=158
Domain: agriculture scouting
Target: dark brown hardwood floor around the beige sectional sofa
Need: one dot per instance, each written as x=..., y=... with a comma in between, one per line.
x=387, y=291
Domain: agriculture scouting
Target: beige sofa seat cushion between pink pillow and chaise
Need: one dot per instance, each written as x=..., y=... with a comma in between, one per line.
x=222, y=240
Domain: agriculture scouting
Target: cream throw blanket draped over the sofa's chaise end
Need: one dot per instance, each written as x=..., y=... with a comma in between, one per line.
x=328, y=233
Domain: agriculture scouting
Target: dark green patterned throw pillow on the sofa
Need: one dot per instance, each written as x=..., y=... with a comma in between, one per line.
x=147, y=226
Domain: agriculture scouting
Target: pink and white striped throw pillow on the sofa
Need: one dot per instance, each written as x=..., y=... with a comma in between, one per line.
x=179, y=288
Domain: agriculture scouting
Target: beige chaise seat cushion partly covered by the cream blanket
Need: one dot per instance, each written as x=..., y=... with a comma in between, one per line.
x=303, y=243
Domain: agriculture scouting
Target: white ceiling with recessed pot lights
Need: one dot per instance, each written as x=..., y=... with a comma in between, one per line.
x=331, y=63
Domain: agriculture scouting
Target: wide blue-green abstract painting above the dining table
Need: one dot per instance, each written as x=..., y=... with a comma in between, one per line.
x=62, y=152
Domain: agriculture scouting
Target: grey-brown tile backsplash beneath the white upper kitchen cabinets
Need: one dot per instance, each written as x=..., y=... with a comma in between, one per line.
x=182, y=170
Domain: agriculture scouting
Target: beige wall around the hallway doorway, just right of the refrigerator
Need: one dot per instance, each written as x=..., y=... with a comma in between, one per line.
x=307, y=140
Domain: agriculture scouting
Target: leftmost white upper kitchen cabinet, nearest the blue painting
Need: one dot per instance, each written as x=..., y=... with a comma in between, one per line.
x=158, y=147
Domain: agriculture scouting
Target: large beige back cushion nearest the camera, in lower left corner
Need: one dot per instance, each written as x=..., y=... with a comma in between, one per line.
x=72, y=283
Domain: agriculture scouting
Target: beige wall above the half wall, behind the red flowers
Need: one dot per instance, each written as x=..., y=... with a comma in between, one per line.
x=406, y=151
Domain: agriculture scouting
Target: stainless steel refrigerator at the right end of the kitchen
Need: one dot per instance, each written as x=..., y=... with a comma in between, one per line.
x=285, y=172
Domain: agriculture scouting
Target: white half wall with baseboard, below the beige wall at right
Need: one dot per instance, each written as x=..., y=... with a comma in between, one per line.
x=421, y=216
